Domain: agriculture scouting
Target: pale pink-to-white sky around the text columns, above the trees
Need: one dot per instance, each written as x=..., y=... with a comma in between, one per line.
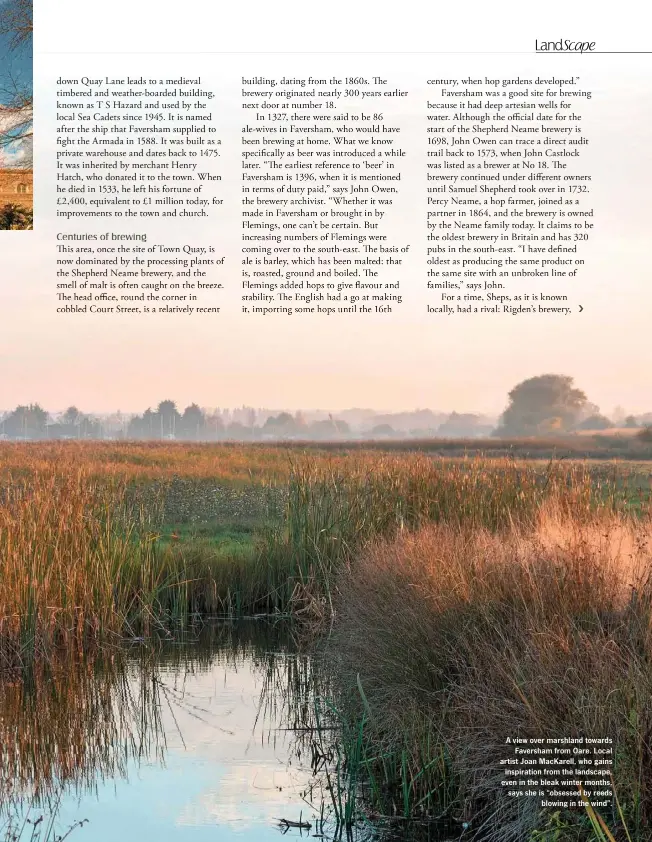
x=401, y=361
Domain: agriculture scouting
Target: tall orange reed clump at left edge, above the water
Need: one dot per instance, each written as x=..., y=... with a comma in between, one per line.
x=63, y=547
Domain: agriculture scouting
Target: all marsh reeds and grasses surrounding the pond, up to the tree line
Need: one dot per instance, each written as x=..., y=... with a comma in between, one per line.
x=447, y=604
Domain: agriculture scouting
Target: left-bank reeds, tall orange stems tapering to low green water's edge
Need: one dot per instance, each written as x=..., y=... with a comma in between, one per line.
x=82, y=565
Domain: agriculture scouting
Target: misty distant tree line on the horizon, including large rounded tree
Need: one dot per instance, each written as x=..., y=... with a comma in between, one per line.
x=542, y=406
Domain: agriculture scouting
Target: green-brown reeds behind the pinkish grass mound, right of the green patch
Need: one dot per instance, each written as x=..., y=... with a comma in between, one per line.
x=334, y=510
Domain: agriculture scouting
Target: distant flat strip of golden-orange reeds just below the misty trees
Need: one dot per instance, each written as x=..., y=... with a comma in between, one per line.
x=272, y=463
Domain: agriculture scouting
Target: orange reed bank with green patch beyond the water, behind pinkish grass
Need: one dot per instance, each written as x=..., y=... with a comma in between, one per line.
x=87, y=556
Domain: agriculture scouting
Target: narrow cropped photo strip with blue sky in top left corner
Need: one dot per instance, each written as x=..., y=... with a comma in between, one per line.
x=16, y=115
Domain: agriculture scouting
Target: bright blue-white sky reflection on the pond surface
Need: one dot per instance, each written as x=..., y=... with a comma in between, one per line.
x=229, y=766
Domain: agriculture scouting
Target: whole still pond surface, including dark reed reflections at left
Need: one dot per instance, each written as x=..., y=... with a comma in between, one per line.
x=198, y=739
